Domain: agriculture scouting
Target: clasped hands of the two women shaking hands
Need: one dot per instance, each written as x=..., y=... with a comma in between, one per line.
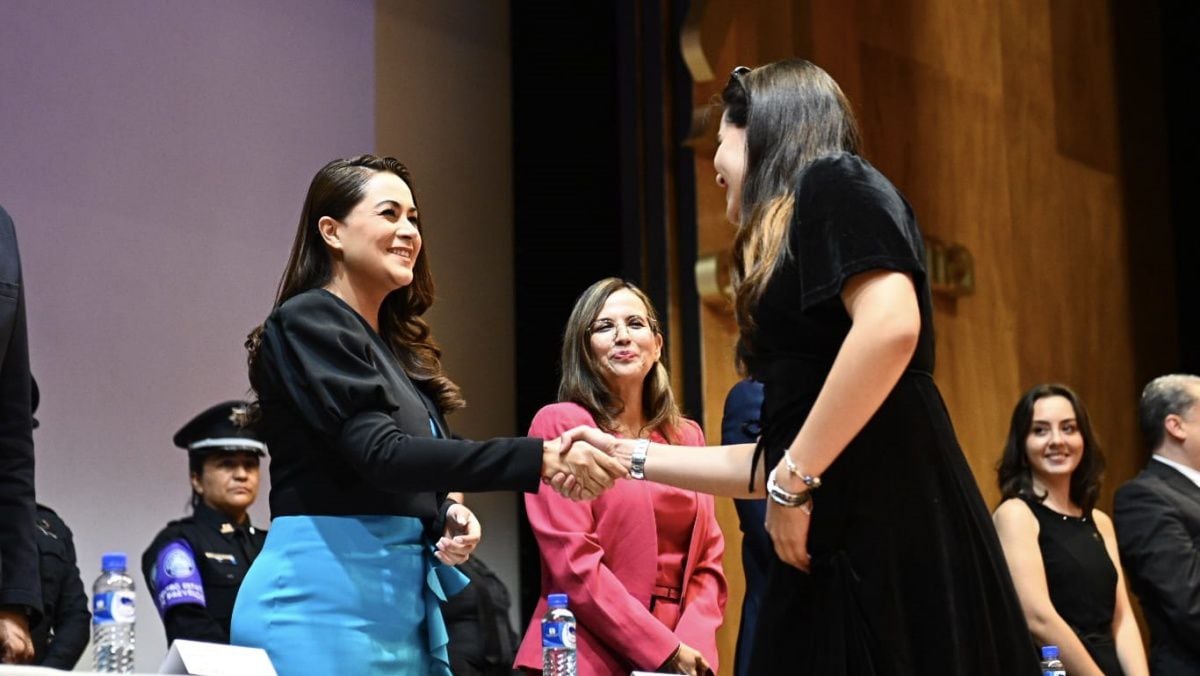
x=584, y=463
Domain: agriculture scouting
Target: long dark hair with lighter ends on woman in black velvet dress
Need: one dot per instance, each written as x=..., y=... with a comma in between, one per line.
x=793, y=113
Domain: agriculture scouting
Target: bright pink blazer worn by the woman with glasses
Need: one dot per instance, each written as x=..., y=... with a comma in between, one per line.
x=604, y=555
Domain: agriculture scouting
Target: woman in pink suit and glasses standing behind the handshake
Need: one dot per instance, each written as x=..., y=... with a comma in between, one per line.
x=641, y=564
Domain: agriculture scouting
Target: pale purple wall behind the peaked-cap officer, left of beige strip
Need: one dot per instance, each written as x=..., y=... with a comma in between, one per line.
x=154, y=157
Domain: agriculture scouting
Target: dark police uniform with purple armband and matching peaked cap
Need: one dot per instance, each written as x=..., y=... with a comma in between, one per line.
x=195, y=566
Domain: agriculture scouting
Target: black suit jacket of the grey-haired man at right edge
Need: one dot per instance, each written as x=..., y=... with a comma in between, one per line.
x=1161, y=555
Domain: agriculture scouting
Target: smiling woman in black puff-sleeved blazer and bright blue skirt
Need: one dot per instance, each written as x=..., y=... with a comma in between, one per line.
x=351, y=403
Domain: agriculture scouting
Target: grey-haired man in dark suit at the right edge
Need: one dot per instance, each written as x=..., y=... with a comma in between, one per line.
x=1157, y=521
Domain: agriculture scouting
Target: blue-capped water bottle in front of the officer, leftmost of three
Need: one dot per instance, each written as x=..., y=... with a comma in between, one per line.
x=113, y=612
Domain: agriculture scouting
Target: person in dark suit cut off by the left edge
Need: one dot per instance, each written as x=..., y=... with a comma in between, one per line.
x=21, y=597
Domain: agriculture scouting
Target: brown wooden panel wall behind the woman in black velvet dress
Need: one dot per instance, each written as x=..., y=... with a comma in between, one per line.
x=999, y=122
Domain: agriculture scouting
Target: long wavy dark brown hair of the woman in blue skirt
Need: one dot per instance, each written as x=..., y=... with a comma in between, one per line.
x=337, y=189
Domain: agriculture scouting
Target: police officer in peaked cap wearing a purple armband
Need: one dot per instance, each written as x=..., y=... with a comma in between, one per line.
x=196, y=565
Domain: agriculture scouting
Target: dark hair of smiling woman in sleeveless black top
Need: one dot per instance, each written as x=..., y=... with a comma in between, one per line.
x=1013, y=472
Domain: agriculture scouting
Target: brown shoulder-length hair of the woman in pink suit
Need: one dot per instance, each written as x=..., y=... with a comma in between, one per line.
x=583, y=382
